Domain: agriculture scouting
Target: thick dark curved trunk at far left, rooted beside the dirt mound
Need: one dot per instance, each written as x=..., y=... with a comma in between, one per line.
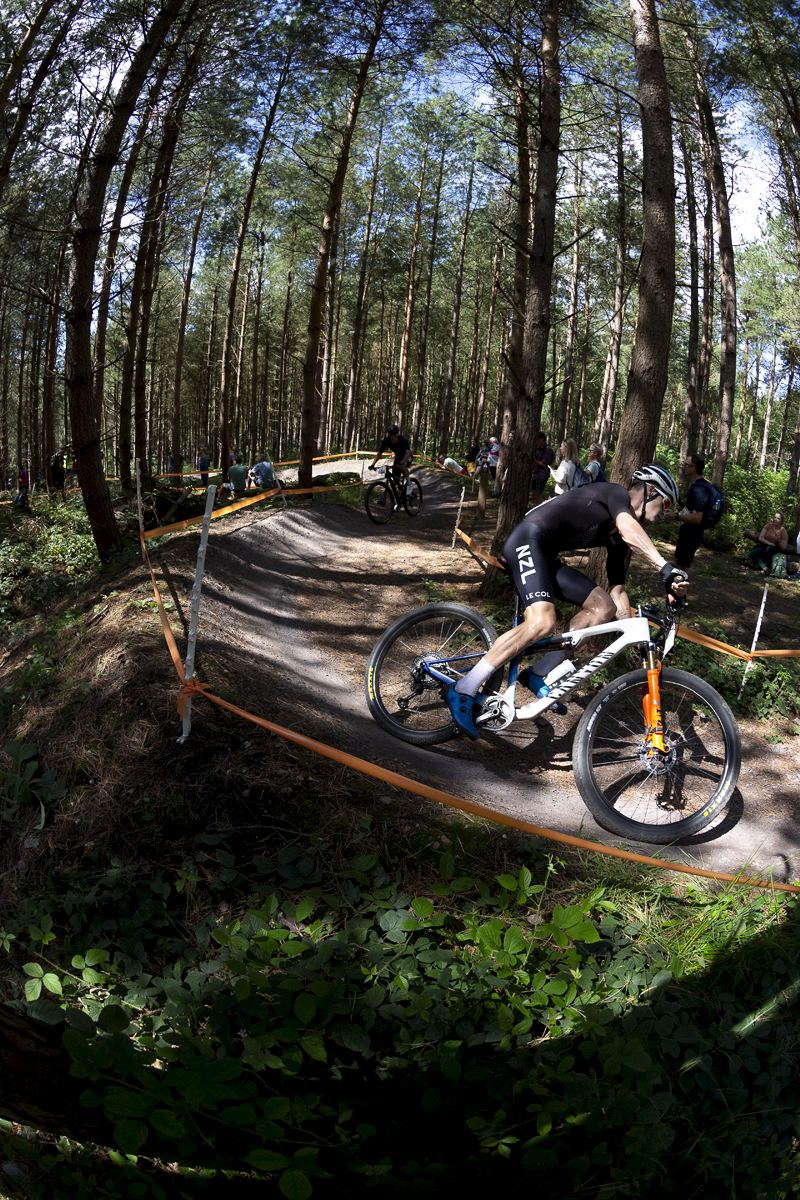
x=89, y=224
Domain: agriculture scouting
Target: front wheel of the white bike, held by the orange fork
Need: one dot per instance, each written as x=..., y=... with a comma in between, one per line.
x=658, y=799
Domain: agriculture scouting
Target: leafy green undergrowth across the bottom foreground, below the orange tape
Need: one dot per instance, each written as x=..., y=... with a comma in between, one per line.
x=336, y=1031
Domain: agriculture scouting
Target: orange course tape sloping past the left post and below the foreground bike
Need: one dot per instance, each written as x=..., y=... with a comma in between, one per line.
x=194, y=688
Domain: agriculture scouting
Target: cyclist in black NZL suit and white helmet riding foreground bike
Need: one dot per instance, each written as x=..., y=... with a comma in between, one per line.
x=604, y=515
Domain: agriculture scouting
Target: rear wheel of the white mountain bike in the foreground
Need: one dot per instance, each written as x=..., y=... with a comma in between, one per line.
x=401, y=695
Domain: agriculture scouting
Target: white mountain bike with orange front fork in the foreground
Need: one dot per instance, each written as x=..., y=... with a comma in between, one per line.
x=657, y=753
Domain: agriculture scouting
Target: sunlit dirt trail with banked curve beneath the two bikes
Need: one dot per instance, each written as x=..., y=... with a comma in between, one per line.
x=304, y=596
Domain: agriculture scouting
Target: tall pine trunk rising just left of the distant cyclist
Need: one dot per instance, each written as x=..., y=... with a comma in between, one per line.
x=310, y=418
